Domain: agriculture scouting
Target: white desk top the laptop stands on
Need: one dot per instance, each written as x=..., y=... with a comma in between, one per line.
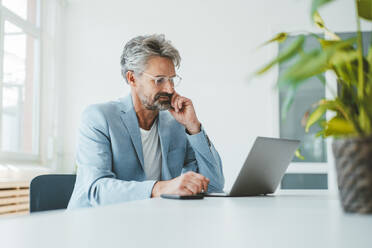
x=276, y=221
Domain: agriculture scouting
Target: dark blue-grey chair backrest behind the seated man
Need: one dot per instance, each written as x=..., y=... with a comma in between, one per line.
x=48, y=192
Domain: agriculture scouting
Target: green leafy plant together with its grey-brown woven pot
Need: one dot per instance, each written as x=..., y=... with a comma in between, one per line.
x=351, y=125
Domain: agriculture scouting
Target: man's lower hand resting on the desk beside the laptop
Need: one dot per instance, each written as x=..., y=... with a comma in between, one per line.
x=189, y=183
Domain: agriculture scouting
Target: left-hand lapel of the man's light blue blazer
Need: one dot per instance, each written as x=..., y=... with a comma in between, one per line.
x=129, y=118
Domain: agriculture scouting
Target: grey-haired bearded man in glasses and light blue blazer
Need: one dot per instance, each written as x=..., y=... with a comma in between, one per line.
x=148, y=143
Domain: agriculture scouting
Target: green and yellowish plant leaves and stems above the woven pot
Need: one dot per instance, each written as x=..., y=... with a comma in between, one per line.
x=352, y=104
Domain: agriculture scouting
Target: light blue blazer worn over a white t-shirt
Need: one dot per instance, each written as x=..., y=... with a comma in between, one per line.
x=110, y=161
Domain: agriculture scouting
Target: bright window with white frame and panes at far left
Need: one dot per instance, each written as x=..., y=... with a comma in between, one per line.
x=19, y=74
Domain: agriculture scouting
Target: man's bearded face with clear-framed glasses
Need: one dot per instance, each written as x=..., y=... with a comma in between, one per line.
x=151, y=95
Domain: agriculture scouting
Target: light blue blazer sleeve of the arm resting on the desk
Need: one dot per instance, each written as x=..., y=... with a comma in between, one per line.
x=96, y=183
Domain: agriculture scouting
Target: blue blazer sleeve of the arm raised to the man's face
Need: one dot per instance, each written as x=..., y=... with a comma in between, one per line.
x=202, y=157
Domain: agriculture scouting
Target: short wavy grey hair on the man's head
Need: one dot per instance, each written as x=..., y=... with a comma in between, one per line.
x=140, y=49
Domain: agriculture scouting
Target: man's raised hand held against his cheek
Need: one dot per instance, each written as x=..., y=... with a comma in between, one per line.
x=183, y=111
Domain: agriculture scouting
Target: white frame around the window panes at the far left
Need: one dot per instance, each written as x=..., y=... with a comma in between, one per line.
x=34, y=31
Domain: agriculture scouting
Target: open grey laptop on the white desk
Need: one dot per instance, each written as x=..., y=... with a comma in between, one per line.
x=263, y=168
